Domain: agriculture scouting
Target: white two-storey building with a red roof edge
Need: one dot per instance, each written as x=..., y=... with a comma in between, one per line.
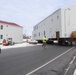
x=9, y=30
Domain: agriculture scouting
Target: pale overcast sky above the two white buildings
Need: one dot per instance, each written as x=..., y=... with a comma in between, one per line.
x=28, y=13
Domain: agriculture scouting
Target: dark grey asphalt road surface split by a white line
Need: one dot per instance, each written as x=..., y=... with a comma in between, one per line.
x=21, y=61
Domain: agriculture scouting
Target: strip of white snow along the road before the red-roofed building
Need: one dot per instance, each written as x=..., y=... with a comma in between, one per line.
x=18, y=45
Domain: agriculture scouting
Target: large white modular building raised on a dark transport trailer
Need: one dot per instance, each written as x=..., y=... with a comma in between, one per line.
x=58, y=26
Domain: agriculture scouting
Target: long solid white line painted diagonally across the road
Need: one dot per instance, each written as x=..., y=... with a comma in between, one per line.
x=49, y=62
